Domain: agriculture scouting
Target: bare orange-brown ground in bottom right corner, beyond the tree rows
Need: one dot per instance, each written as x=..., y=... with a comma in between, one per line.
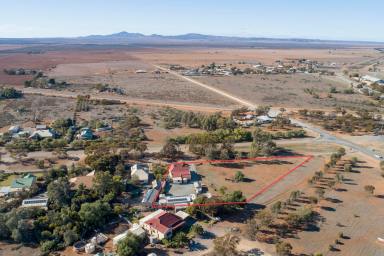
x=351, y=210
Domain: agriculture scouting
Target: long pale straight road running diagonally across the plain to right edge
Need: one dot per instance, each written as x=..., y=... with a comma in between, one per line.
x=325, y=136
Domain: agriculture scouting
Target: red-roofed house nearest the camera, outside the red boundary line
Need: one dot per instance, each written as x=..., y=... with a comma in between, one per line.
x=161, y=224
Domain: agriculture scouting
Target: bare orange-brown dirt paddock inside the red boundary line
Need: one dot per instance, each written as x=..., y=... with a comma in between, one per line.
x=257, y=174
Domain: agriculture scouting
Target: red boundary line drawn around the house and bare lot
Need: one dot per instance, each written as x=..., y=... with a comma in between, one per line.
x=307, y=158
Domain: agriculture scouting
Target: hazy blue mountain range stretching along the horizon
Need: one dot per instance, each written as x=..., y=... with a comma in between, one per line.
x=127, y=39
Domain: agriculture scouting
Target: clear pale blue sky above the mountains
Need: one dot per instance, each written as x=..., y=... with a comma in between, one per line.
x=323, y=19
